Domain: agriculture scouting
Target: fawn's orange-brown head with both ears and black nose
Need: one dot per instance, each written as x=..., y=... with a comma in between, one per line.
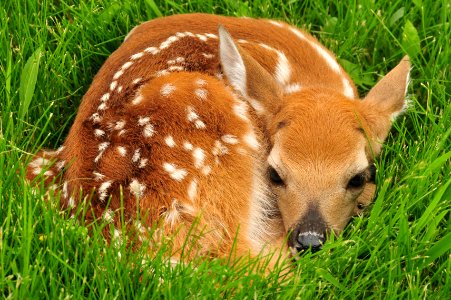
x=321, y=144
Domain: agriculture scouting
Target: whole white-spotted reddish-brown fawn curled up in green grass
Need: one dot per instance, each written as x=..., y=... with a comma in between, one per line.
x=258, y=133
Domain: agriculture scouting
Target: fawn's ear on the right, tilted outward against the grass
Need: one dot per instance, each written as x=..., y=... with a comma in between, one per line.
x=387, y=99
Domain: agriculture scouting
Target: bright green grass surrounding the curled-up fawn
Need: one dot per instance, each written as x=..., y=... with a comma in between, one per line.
x=49, y=53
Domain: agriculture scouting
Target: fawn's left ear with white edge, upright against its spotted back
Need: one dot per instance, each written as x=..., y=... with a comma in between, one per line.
x=247, y=76
